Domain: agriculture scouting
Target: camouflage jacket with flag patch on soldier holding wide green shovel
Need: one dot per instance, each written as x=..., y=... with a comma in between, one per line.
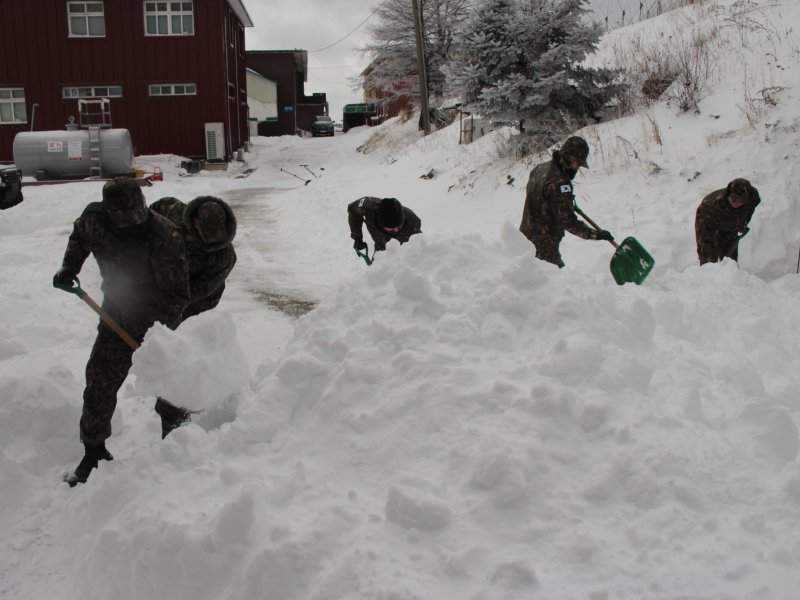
x=549, y=204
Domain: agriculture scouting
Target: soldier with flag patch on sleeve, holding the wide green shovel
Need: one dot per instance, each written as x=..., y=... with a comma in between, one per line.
x=550, y=200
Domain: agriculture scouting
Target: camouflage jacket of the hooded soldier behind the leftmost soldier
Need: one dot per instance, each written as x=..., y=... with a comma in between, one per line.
x=209, y=264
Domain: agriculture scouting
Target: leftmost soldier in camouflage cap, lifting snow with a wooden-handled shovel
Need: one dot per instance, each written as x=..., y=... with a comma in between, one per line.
x=145, y=273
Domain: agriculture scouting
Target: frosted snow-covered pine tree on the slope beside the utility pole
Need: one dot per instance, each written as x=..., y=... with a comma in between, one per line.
x=517, y=62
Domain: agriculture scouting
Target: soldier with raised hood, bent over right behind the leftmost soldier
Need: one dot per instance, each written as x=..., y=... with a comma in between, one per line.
x=208, y=226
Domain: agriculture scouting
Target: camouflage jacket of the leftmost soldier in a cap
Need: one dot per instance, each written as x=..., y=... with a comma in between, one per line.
x=144, y=271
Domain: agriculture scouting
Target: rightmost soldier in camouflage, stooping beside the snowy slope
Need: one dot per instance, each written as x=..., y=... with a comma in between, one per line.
x=722, y=218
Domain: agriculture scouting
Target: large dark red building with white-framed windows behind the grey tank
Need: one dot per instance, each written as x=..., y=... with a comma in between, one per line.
x=169, y=68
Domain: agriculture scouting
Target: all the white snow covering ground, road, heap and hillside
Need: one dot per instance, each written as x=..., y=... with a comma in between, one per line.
x=457, y=420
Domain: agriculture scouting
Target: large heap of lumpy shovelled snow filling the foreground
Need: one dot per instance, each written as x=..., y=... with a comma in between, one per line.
x=463, y=420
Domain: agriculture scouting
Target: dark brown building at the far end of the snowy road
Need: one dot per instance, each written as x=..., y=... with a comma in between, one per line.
x=289, y=69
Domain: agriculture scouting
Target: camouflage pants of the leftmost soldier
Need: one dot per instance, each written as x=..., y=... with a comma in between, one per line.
x=106, y=370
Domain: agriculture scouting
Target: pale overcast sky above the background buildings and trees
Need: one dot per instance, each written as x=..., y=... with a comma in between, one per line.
x=323, y=28
